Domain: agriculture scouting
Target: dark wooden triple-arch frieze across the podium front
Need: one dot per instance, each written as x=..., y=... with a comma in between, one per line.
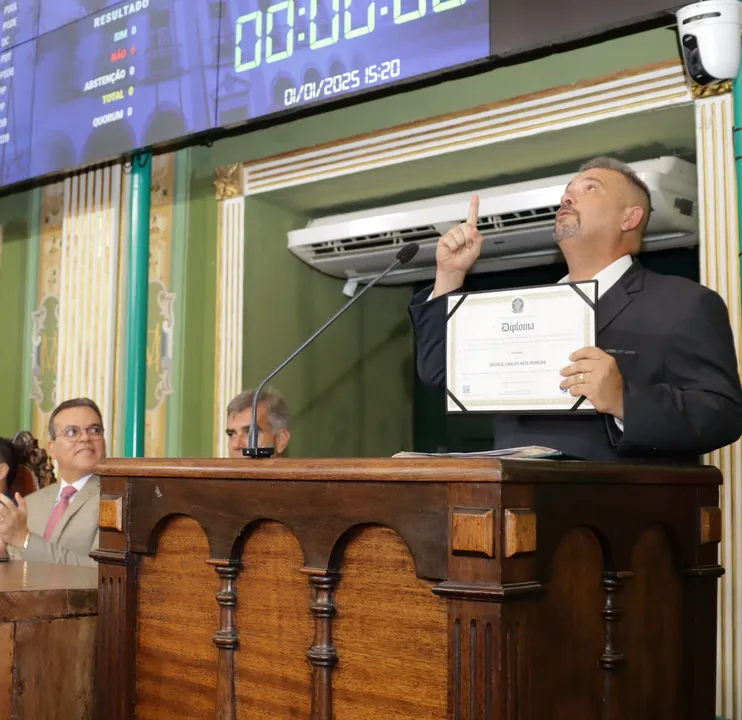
x=420, y=518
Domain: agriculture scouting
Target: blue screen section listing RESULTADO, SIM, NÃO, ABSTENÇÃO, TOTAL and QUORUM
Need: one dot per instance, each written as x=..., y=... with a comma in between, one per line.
x=132, y=75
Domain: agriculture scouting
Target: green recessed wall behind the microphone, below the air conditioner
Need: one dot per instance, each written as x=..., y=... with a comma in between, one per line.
x=348, y=391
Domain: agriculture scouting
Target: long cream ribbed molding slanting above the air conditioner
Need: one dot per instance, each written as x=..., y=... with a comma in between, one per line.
x=568, y=106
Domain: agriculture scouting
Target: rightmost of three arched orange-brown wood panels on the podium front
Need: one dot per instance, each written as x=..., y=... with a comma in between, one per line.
x=390, y=634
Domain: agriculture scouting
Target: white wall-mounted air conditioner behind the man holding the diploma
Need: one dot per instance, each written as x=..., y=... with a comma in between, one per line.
x=515, y=220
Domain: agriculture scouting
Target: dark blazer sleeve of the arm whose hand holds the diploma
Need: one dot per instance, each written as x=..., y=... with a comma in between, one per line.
x=698, y=408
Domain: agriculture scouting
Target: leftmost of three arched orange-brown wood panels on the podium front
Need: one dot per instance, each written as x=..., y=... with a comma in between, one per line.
x=177, y=619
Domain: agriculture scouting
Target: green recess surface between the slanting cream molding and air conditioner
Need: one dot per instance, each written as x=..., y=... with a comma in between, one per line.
x=632, y=137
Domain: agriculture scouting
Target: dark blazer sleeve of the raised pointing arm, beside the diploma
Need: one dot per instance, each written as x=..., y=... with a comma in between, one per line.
x=429, y=325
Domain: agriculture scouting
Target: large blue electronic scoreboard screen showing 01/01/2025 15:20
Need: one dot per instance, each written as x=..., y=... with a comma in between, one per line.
x=85, y=81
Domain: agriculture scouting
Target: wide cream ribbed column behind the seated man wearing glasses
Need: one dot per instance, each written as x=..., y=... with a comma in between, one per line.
x=81, y=274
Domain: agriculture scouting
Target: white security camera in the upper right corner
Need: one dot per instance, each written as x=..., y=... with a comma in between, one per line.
x=709, y=34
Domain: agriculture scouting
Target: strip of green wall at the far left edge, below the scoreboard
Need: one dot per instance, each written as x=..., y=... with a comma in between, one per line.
x=14, y=219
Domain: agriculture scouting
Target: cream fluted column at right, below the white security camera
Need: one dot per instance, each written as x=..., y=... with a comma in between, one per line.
x=719, y=264
